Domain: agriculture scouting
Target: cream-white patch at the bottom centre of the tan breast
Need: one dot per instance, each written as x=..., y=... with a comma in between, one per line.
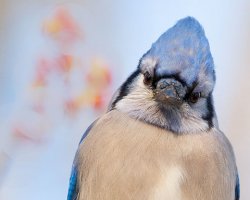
x=169, y=186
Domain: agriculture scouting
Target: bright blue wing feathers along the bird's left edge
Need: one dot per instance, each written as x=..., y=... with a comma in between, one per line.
x=73, y=190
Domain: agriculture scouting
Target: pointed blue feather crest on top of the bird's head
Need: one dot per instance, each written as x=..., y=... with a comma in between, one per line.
x=183, y=50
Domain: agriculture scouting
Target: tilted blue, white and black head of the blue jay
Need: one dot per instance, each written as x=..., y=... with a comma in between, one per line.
x=172, y=87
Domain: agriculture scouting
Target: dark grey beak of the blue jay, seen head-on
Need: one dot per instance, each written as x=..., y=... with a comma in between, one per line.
x=169, y=91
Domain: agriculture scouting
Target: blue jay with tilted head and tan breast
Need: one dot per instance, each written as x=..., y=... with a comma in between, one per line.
x=160, y=138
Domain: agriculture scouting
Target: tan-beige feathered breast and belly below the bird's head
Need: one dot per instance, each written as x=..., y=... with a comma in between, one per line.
x=123, y=158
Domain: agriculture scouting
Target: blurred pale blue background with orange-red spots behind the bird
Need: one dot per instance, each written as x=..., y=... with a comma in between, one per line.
x=60, y=62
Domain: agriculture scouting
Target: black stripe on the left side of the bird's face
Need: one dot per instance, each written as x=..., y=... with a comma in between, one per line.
x=124, y=91
